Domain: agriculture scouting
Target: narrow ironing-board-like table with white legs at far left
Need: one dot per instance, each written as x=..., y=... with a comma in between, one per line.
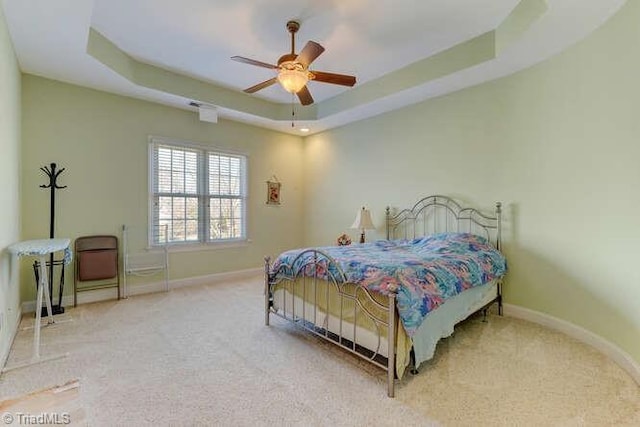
x=40, y=248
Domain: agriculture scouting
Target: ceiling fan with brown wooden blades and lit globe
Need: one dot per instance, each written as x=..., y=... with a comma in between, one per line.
x=293, y=70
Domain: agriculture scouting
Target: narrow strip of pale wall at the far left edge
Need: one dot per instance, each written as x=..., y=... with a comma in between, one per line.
x=9, y=190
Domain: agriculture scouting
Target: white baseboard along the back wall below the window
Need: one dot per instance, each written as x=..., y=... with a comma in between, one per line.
x=97, y=295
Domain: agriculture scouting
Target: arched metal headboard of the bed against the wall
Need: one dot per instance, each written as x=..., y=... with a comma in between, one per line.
x=437, y=214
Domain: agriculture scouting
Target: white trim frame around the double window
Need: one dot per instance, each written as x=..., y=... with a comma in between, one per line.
x=199, y=245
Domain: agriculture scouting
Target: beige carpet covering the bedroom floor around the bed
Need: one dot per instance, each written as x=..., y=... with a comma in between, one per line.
x=202, y=356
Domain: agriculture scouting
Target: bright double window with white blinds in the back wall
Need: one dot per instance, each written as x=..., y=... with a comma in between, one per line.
x=197, y=192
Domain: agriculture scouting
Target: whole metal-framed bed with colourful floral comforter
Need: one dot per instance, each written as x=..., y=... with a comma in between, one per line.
x=391, y=301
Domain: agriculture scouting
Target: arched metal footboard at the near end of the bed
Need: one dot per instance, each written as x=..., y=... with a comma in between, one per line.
x=315, y=296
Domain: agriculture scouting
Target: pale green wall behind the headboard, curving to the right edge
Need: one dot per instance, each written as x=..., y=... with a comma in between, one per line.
x=558, y=144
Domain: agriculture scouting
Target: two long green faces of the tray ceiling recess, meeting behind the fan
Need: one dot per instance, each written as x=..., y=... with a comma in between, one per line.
x=464, y=55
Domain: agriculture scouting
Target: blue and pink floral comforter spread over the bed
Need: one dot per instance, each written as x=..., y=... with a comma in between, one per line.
x=425, y=271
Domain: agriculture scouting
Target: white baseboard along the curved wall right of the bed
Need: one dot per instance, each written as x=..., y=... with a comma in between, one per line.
x=609, y=349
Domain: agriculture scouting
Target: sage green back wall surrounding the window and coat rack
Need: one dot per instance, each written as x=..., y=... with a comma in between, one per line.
x=102, y=141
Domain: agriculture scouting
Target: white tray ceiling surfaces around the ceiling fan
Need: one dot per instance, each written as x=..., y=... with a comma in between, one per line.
x=368, y=39
